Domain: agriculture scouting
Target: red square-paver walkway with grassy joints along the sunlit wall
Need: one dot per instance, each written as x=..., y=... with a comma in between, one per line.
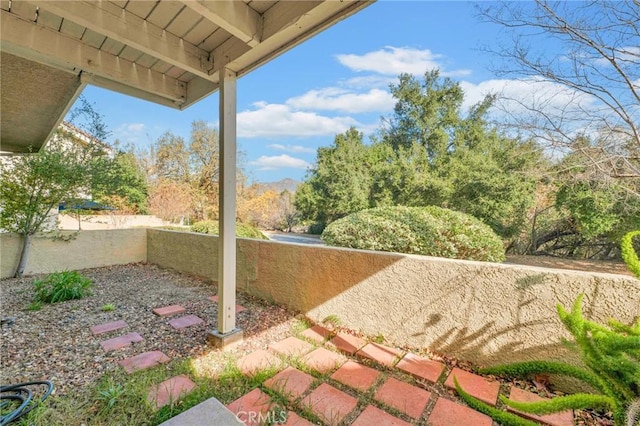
x=344, y=380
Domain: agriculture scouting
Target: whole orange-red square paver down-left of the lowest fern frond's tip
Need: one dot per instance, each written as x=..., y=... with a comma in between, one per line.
x=404, y=397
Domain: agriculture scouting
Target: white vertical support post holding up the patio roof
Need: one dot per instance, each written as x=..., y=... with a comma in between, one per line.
x=227, y=332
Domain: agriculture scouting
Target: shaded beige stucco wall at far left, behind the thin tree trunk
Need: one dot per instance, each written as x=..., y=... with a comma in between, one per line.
x=86, y=249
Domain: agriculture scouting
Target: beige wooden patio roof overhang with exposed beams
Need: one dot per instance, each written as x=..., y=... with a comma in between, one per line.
x=168, y=52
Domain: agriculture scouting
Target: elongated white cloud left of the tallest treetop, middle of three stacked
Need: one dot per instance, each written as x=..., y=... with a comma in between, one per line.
x=336, y=99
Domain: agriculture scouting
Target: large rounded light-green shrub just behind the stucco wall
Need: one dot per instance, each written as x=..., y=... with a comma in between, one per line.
x=430, y=231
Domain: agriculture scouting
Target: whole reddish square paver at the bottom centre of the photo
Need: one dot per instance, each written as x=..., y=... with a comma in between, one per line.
x=329, y=404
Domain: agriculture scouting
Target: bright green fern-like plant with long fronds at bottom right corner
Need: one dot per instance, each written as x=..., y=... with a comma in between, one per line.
x=611, y=365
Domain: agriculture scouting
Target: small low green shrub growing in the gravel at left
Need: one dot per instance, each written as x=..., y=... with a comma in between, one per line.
x=61, y=286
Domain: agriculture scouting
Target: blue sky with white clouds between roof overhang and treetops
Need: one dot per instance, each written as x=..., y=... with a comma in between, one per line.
x=302, y=99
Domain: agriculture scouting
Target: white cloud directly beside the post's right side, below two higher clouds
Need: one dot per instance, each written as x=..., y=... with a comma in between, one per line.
x=277, y=120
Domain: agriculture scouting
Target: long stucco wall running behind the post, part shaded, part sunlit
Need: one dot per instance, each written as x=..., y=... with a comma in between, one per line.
x=486, y=313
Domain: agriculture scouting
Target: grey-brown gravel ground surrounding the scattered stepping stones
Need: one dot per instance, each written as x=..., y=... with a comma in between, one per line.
x=55, y=343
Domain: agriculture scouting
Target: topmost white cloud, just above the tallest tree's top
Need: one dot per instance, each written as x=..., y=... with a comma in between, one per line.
x=396, y=60
